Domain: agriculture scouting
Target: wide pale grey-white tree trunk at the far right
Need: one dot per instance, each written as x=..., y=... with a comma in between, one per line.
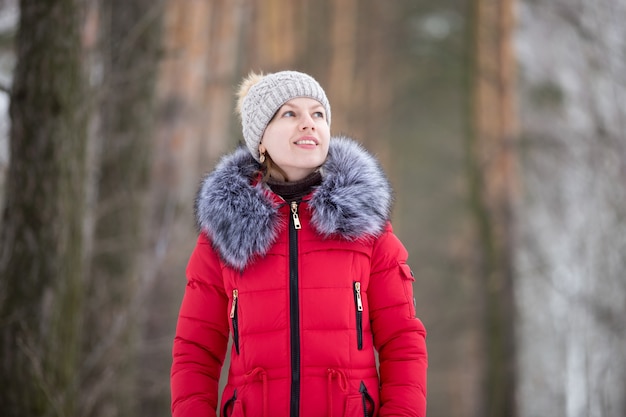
x=572, y=290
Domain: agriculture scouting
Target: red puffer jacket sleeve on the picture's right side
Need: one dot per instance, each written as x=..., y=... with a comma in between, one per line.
x=399, y=336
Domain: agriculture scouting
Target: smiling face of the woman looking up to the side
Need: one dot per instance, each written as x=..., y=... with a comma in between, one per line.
x=297, y=137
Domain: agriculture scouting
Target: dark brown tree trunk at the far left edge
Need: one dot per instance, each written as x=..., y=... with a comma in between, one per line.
x=41, y=244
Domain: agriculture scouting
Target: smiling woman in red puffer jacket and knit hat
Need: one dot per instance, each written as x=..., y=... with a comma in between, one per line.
x=297, y=262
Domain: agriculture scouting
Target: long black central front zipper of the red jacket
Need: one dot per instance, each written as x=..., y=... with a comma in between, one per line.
x=294, y=309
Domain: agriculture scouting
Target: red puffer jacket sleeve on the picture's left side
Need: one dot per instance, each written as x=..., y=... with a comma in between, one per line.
x=201, y=336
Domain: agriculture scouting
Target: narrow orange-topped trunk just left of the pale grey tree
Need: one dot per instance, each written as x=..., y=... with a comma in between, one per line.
x=491, y=164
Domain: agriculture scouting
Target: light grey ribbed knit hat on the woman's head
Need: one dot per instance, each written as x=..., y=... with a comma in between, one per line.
x=266, y=95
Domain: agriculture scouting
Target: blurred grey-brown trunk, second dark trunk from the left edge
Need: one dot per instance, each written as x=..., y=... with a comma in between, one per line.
x=129, y=55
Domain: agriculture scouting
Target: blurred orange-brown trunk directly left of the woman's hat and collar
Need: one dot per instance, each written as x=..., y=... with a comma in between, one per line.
x=196, y=101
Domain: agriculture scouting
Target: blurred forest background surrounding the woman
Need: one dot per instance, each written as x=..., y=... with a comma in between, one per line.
x=501, y=124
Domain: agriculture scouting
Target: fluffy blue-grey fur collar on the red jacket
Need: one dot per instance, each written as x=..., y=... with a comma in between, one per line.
x=353, y=202
